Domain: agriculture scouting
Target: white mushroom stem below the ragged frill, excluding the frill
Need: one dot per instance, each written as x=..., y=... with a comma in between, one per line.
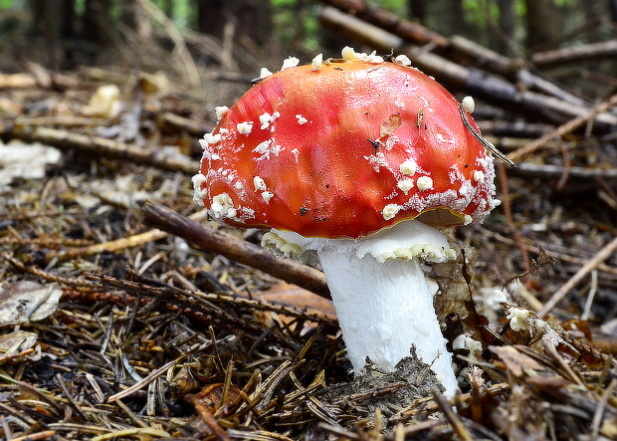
x=384, y=308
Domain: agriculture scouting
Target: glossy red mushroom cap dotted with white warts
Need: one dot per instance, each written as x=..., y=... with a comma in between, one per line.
x=344, y=151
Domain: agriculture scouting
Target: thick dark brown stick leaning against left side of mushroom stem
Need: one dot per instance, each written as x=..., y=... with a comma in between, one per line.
x=237, y=250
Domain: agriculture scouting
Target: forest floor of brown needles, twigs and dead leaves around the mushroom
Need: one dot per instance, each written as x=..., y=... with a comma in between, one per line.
x=111, y=328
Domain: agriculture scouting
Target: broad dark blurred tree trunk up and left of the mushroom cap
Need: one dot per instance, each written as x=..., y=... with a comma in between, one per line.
x=251, y=19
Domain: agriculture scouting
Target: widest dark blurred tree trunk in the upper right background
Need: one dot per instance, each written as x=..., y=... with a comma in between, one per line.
x=542, y=22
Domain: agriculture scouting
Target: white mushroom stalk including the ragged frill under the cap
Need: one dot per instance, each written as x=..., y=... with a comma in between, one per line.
x=382, y=300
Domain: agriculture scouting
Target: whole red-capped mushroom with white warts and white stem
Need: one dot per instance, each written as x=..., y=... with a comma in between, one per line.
x=360, y=161
